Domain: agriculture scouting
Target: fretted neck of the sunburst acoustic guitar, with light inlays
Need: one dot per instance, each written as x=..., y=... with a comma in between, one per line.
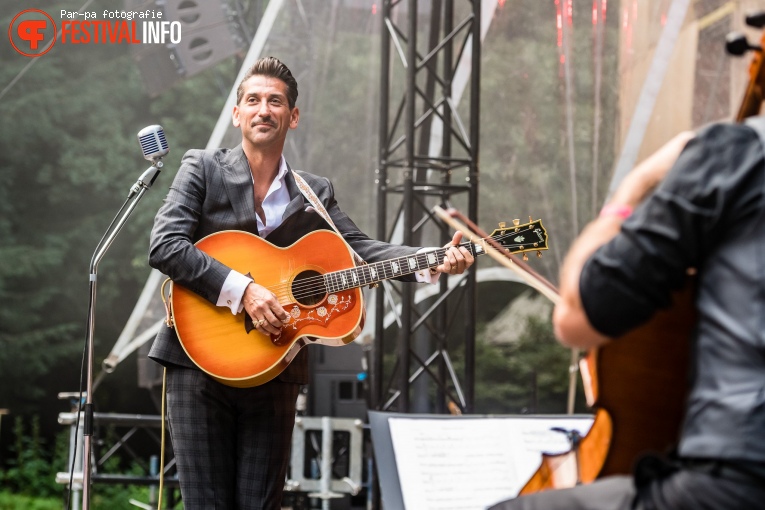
x=369, y=274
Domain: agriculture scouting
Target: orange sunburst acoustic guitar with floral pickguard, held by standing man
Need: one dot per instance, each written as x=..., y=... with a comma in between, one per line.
x=318, y=284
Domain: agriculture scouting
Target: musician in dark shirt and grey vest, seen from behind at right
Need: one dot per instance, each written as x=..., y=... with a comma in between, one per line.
x=698, y=203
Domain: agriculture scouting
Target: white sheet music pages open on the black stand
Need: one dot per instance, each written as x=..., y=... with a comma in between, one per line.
x=468, y=464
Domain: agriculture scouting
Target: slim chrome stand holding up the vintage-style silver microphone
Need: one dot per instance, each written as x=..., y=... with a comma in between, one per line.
x=136, y=194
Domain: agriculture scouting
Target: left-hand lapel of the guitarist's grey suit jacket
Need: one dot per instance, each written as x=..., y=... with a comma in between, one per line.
x=238, y=183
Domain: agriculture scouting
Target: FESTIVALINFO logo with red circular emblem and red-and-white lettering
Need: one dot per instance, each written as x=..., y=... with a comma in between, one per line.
x=34, y=32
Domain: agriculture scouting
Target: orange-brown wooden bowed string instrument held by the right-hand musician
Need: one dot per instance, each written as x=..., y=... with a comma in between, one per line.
x=638, y=383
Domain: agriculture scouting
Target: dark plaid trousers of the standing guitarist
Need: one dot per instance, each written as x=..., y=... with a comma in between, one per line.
x=231, y=445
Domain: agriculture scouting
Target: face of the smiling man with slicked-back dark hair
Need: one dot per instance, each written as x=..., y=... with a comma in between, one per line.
x=263, y=114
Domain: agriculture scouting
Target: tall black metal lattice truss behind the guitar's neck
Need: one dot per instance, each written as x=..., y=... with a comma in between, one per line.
x=428, y=155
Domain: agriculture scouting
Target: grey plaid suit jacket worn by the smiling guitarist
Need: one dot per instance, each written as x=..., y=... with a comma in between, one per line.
x=213, y=191
